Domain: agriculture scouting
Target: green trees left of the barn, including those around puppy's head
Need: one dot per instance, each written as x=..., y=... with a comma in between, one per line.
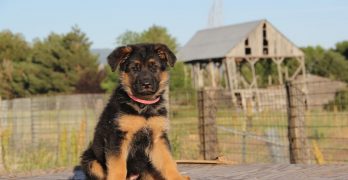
x=64, y=63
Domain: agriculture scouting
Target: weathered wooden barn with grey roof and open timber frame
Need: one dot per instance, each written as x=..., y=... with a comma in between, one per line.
x=215, y=52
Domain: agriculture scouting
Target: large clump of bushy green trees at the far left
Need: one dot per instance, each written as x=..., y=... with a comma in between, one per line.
x=56, y=64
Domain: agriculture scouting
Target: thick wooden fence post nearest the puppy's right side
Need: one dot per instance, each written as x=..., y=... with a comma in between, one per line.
x=207, y=123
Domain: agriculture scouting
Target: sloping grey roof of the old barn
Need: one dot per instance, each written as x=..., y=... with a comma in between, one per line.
x=216, y=42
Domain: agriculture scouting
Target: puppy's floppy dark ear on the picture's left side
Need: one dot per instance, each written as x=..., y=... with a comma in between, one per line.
x=118, y=56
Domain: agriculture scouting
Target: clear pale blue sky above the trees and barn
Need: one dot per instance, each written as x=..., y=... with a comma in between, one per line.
x=305, y=22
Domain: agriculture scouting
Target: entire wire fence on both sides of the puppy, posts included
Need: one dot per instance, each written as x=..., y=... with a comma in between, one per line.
x=252, y=126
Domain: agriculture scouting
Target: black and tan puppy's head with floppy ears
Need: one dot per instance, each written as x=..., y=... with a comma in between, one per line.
x=143, y=68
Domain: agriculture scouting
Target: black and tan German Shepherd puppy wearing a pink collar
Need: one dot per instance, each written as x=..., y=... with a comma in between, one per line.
x=130, y=140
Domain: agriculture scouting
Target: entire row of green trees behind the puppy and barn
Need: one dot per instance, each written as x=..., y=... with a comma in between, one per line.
x=64, y=63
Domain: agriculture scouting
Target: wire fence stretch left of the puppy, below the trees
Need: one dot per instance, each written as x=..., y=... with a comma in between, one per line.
x=48, y=131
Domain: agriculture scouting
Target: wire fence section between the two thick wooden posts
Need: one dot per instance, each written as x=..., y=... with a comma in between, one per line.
x=251, y=127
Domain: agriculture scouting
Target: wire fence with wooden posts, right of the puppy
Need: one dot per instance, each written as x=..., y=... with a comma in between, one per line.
x=296, y=122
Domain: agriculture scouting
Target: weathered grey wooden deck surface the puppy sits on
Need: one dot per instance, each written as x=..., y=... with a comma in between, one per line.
x=250, y=171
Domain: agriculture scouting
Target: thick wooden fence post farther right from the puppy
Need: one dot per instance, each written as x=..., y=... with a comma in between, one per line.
x=298, y=146
